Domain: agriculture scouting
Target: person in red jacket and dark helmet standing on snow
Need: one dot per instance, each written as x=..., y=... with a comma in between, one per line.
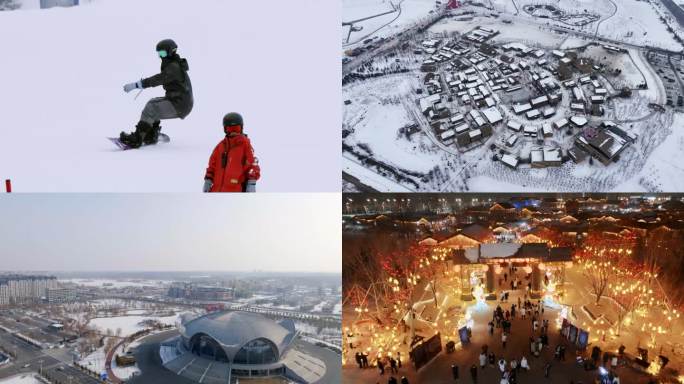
x=232, y=165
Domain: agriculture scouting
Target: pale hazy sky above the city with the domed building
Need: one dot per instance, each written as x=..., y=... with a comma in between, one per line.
x=238, y=232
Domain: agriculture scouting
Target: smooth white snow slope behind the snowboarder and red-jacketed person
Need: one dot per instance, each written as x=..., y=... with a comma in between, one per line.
x=62, y=92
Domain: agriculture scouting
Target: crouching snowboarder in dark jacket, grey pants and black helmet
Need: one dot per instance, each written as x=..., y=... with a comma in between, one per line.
x=176, y=104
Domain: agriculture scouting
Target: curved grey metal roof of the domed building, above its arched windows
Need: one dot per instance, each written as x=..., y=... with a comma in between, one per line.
x=233, y=329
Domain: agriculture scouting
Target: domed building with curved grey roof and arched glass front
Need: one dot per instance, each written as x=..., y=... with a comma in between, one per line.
x=251, y=344
